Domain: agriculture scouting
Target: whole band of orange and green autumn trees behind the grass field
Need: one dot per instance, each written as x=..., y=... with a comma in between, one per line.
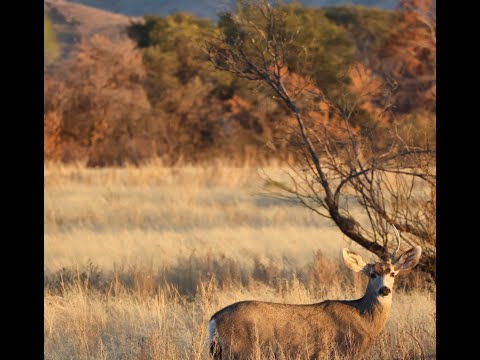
x=156, y=95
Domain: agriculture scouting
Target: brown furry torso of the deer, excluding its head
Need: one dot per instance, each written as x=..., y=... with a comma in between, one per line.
x=317, y=328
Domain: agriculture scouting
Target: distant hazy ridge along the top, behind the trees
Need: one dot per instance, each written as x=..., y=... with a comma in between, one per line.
x=74, y=20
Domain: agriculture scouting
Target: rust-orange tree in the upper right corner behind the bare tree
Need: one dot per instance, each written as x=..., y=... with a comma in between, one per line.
x=398, y=45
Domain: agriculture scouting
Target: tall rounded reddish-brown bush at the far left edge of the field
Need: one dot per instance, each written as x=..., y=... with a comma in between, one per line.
x=96, y=106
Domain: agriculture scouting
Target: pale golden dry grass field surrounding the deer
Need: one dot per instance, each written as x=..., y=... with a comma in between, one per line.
x=138, y=259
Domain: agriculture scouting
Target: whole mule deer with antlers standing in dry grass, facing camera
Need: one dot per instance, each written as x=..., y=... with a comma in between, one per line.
x=347, y=327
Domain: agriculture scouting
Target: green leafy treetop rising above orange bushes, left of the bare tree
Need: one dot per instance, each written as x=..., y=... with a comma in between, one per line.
x=172, y=54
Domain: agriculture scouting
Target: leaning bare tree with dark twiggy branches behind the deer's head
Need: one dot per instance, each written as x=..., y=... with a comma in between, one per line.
x=343, y=167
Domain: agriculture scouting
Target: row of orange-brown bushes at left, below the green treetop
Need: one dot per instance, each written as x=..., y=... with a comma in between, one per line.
x=96, y=110
